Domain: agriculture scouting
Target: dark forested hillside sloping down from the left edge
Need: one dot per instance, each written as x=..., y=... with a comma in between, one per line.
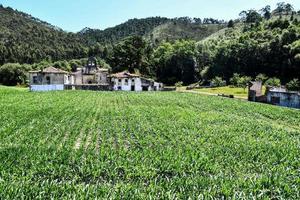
x=25, y=39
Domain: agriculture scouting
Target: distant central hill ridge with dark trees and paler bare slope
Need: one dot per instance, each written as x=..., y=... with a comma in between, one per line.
x=156, y=30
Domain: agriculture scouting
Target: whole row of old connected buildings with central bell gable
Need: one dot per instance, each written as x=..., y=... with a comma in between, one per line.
x=89, y=77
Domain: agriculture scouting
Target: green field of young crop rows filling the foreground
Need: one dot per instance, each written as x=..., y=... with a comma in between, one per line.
x=162, y=145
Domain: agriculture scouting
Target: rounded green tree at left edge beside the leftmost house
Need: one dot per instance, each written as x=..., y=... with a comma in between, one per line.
x=12, y=74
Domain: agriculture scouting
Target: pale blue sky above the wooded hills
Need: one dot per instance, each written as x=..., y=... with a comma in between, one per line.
x=74, y=15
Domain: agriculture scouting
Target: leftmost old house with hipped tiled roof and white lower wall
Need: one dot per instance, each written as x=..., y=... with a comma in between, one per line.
x=49, y=79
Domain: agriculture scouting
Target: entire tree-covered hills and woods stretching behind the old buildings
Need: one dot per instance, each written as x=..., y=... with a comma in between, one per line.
x=168, y=50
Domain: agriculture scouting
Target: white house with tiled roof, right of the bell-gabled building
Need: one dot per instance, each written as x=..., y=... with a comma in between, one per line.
x=126, y=81
